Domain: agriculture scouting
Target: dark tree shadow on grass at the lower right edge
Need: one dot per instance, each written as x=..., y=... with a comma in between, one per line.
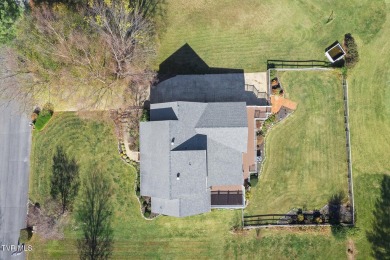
x=379, y=236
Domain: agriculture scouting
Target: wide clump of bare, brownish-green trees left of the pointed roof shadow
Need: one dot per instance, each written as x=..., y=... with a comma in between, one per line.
x=89, y=60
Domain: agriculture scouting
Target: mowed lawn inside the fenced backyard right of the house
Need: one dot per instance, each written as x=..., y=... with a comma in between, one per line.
x=305, y=154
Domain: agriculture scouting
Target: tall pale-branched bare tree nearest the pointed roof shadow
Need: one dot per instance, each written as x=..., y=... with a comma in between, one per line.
x=126, y=28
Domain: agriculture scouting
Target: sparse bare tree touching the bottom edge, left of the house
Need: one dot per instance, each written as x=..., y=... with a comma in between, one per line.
x=95, y=215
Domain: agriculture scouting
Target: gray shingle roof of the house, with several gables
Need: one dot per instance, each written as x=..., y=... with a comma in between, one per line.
x=203, y=142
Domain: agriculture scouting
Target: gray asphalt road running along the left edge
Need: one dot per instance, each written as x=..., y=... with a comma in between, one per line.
x=15, y=143
